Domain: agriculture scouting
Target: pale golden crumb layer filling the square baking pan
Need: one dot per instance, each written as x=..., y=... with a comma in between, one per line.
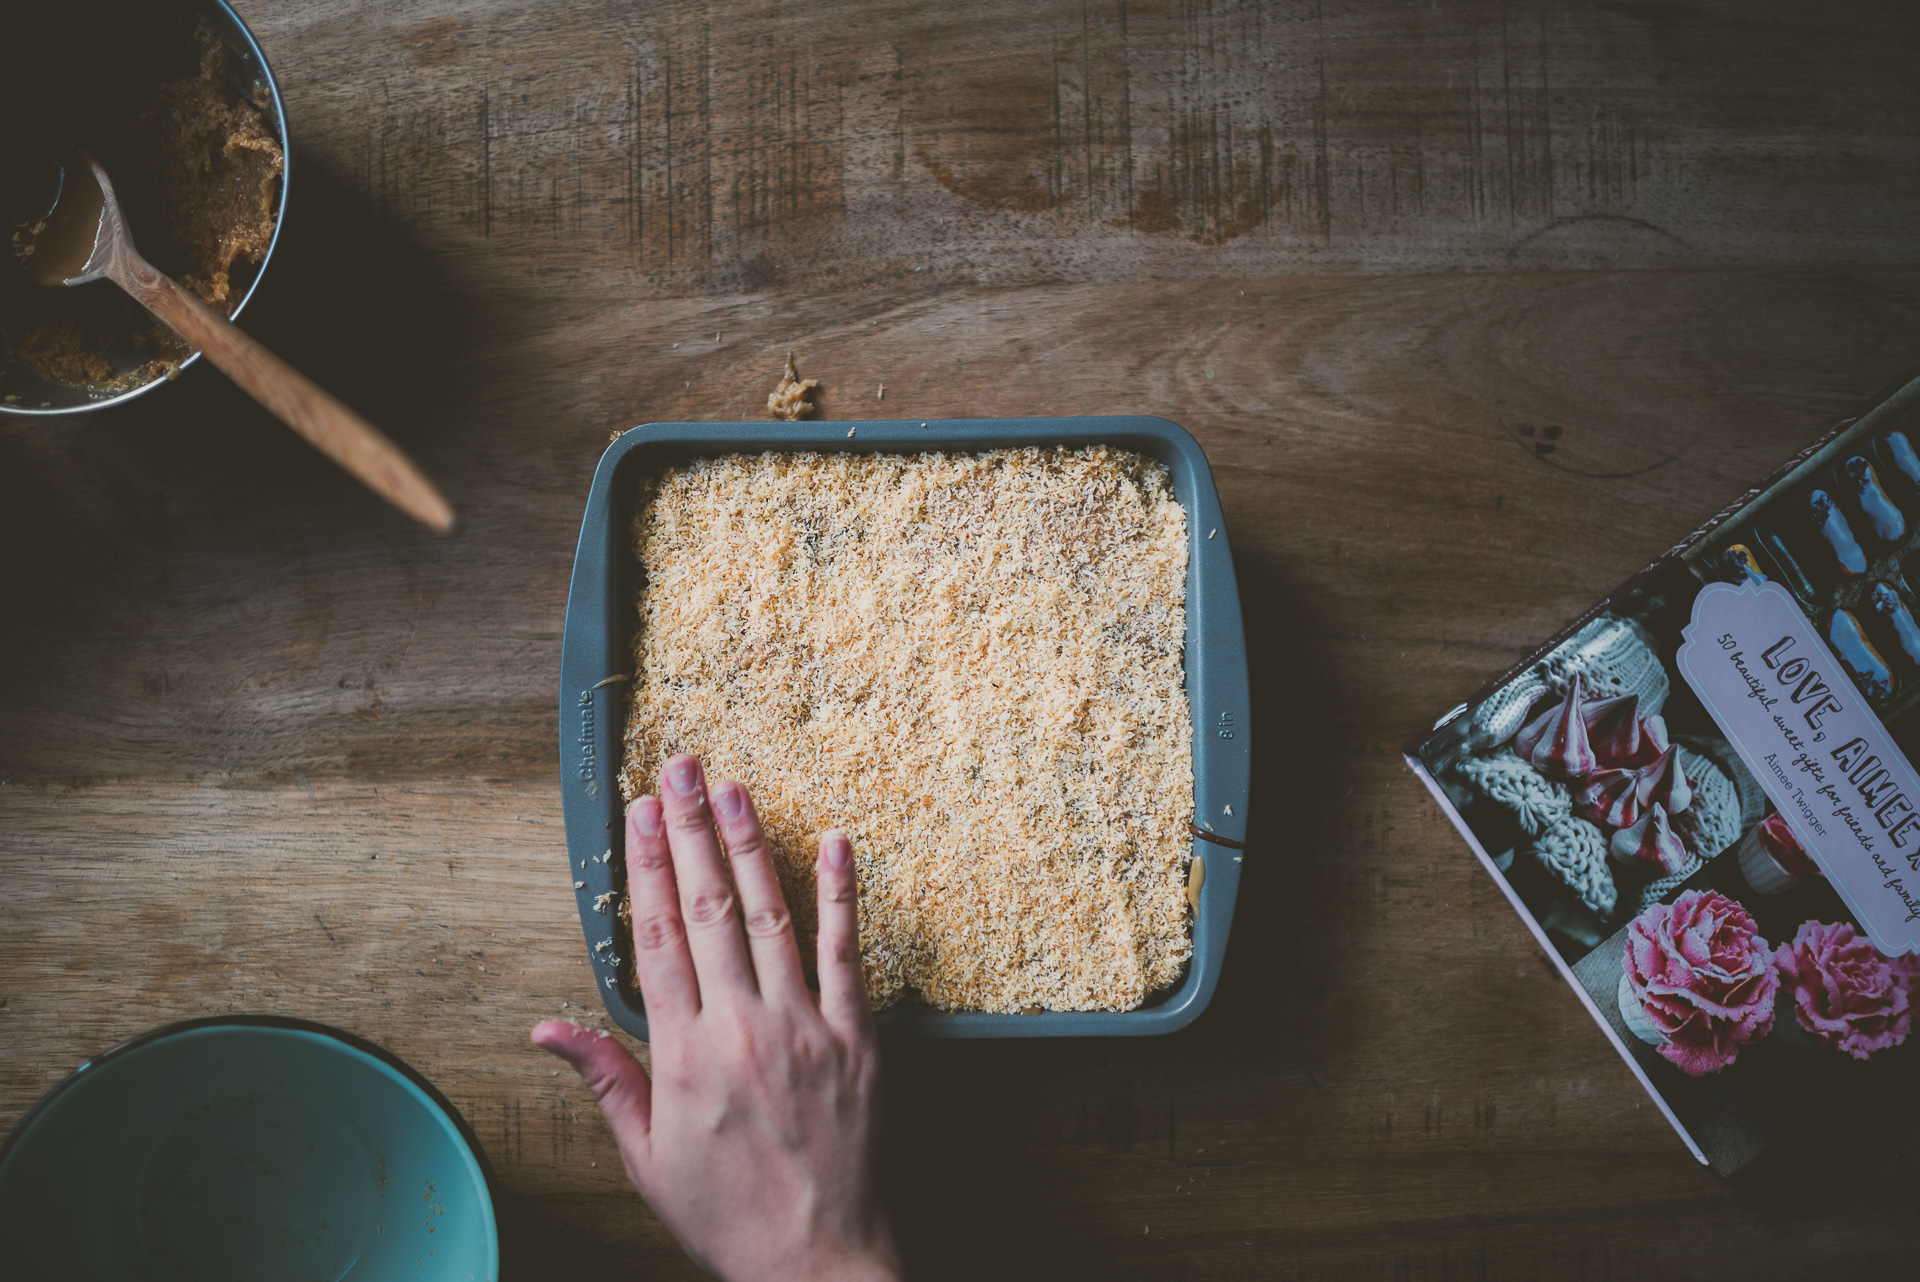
x=971, y=663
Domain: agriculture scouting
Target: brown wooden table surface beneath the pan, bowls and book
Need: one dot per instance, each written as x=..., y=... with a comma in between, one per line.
x=1476, y=308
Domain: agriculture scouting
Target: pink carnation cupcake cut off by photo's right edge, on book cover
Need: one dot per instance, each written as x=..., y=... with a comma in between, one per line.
x=1848, y=993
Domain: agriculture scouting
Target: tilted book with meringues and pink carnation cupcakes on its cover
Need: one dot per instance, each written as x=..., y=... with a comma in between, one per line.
x=1704, y=803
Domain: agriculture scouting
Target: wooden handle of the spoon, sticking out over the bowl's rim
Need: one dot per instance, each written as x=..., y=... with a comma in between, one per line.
x=331, y=427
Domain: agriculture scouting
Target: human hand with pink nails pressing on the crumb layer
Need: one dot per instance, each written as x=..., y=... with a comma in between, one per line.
x=756, y=1137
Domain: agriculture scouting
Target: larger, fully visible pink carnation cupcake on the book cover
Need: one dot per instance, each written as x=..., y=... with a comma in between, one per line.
x=1698, y=982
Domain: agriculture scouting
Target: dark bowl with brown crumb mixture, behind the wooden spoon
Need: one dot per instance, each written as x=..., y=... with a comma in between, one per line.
x=193, y=151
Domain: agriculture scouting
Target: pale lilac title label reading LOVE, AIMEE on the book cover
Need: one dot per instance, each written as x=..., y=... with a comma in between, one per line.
x=1810, y=736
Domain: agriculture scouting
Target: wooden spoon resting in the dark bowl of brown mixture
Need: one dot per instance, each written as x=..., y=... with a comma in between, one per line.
x=84, y=239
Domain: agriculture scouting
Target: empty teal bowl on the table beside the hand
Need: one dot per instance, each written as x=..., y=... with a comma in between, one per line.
x=251, y=1149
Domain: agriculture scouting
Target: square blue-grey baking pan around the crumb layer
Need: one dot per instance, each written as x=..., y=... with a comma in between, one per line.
x=598, y=646
